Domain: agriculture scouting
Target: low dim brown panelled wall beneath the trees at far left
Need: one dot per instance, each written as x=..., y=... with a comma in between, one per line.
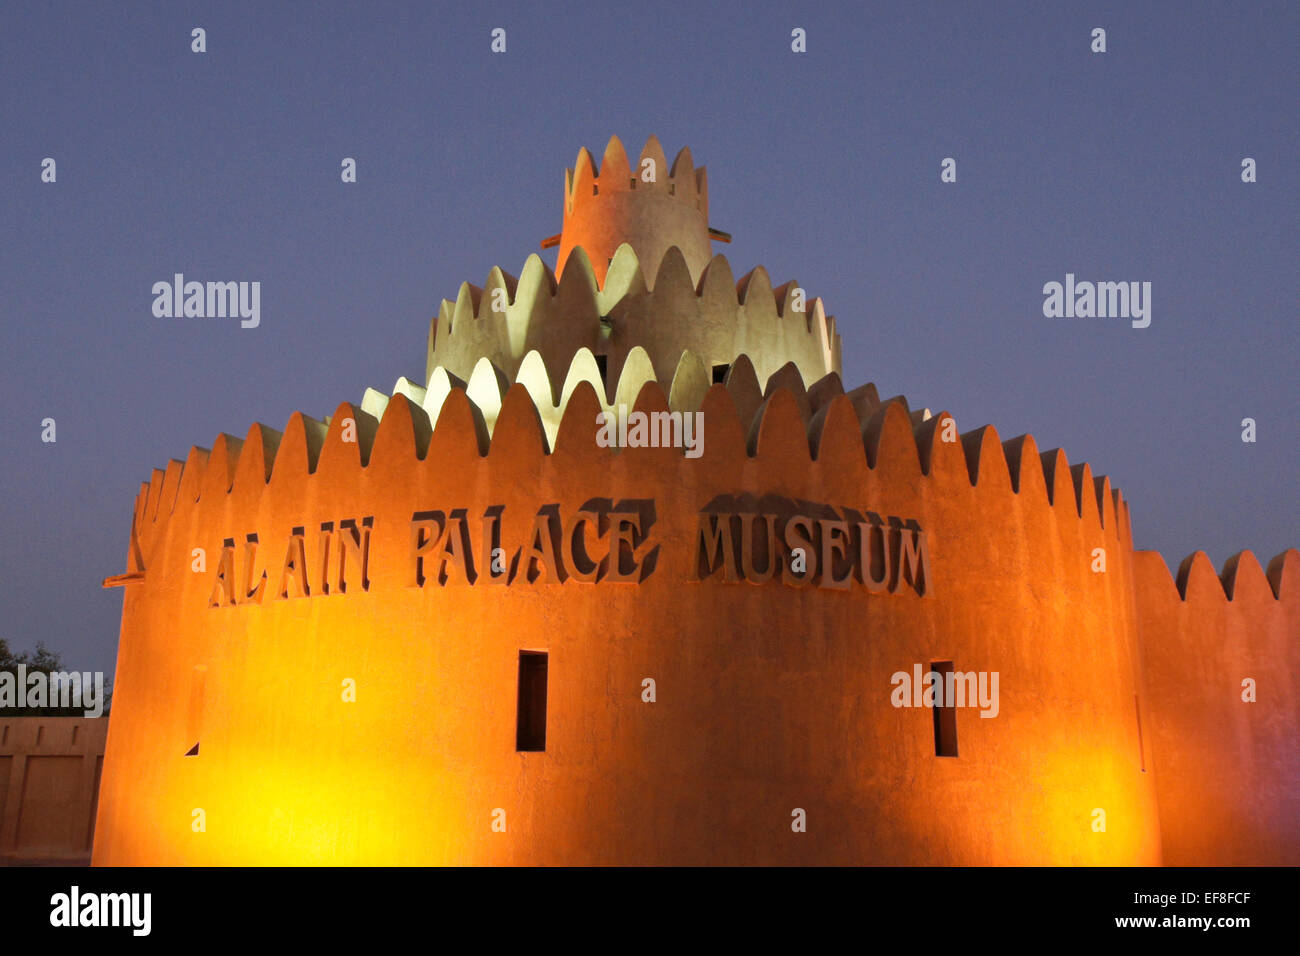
x=50, y=769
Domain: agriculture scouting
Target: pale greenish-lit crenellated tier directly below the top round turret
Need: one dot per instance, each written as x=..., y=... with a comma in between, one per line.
x=717, y=319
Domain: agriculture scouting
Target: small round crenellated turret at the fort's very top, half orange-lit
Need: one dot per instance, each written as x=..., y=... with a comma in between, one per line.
x=652, y=207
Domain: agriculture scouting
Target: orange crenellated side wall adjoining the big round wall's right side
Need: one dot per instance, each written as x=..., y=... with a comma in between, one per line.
x=1221, y=657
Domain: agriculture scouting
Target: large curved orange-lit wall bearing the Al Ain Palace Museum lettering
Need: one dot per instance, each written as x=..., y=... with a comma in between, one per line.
x=769, y=698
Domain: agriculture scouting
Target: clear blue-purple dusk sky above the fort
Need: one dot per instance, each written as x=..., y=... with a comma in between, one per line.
x=825, y=166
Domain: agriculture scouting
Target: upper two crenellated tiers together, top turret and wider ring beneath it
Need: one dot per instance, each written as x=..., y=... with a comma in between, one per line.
x=635, y=271
